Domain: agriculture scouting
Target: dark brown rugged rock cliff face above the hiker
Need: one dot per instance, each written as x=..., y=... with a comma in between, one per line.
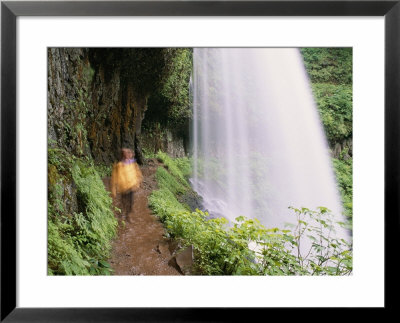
x=95, y=104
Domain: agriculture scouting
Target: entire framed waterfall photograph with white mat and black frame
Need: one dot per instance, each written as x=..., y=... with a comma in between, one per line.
x=230, y=44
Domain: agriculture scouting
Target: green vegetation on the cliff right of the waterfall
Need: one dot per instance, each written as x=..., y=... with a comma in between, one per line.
x=331, y=75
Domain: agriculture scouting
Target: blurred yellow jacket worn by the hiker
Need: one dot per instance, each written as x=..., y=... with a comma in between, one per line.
x=125, y=177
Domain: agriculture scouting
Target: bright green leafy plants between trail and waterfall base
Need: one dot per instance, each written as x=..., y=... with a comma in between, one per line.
x=247, y=247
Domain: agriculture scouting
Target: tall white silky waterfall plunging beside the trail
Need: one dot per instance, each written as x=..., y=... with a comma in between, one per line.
x=258, y=143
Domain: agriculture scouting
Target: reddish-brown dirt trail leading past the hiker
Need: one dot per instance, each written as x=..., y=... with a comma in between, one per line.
x=140, y=247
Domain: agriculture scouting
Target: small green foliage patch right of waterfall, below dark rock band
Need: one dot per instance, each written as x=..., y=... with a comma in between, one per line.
x=344, y=175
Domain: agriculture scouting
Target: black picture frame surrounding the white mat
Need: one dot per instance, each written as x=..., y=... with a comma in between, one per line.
x=10, y=10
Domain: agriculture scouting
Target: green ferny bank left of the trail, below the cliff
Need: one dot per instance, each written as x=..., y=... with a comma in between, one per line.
x=79, y=238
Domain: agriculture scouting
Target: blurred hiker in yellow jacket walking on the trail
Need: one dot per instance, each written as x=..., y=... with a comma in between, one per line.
x=126, y=178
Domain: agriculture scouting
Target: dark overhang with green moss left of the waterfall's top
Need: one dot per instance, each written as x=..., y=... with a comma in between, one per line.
x=165, y=71
